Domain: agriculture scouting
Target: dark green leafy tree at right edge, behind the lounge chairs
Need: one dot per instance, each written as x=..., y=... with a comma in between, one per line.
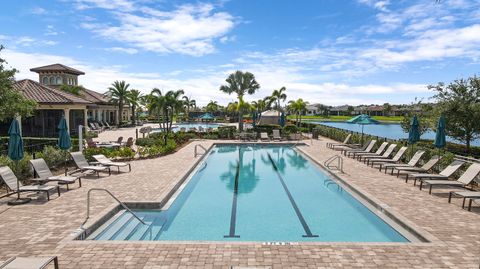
x=459, y=102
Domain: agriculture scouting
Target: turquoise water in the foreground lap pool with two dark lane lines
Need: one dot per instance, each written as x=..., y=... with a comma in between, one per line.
x=257, y=193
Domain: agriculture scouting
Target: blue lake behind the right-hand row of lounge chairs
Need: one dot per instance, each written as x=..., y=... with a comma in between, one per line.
x=390, y=130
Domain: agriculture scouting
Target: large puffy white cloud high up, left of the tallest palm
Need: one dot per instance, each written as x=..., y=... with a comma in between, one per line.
x=189, y=29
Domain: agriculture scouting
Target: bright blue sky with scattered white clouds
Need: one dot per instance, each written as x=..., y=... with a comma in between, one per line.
x=332, y=52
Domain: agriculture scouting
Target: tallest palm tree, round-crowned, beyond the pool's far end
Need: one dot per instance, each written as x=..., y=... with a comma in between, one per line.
x=240, y=83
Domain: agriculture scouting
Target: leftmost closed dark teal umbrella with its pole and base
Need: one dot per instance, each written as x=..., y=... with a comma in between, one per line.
x=15, y=153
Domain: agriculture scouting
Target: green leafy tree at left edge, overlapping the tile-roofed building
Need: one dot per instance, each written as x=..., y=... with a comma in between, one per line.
x=12, y=102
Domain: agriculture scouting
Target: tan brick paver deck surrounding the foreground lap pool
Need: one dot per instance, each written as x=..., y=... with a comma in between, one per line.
x=44, y=228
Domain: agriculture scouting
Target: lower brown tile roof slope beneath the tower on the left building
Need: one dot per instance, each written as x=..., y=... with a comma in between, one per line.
x=46, y=95
